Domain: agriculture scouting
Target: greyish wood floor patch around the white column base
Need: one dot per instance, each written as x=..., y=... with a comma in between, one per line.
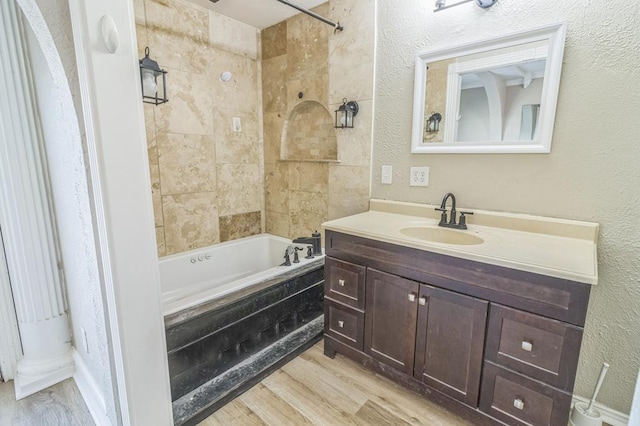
x=59, y=405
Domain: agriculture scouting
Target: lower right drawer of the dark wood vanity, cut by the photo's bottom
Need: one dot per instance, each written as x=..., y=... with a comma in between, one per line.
x=518, y=400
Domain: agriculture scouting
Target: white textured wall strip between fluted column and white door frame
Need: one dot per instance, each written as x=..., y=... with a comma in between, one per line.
x=54, y=69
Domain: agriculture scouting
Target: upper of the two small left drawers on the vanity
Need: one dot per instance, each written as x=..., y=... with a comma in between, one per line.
x=344, y=282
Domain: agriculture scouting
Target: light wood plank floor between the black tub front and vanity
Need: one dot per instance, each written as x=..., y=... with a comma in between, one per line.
x=316, y=390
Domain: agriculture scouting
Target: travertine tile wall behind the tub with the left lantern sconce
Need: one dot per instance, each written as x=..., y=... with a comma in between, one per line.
x=207, y=180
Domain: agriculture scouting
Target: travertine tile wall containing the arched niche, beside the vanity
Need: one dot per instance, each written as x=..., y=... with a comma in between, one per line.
x=305, y=55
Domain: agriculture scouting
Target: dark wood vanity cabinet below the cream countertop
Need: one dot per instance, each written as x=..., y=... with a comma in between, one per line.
x=495, y=345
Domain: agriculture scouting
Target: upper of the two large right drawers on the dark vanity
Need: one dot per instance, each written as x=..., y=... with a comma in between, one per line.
x=539, y=347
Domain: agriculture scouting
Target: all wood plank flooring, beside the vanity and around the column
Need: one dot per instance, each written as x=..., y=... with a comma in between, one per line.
x=310, y=390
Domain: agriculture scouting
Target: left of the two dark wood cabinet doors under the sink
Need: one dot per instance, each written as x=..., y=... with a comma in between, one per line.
x=390, y=319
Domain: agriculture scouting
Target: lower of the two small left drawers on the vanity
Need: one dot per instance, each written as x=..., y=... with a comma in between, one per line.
x=344, y=324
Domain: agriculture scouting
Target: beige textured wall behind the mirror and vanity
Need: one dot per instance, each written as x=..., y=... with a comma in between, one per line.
x=591, y=173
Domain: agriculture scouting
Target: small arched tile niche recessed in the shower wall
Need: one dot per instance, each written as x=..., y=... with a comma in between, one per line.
x=309, y=134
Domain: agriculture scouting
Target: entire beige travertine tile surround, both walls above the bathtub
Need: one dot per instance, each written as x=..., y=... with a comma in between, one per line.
x=211, y=184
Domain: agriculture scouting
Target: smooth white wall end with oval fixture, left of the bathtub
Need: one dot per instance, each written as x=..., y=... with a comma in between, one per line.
x=118, y=163
